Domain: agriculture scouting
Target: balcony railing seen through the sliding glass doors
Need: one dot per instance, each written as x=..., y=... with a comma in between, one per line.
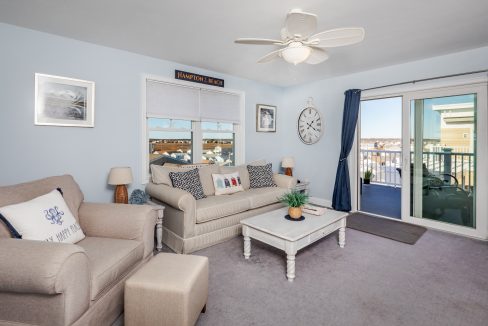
x=384, y=164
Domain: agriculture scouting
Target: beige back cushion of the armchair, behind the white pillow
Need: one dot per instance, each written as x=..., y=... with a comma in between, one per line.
x=26, y=191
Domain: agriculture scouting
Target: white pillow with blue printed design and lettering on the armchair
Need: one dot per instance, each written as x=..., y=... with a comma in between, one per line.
x=45, y=218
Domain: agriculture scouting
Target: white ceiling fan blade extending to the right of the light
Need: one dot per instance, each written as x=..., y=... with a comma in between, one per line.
x=337, y=37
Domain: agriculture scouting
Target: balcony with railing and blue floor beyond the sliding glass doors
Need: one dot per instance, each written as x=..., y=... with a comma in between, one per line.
x=454, y=171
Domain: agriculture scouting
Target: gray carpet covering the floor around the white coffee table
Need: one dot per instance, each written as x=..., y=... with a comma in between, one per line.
x=442, y=280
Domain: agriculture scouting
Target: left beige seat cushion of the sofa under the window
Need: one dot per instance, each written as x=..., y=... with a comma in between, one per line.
x=214, y=207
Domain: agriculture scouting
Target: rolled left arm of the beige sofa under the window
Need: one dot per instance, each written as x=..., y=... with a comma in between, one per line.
x=175, y=197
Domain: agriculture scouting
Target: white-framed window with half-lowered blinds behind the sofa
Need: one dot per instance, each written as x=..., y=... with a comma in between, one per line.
x=186, y=124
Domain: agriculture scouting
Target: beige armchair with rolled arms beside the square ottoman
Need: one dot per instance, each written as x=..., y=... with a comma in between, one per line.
x=45, y=283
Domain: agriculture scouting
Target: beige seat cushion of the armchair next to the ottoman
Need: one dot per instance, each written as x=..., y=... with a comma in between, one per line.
x=110, y=260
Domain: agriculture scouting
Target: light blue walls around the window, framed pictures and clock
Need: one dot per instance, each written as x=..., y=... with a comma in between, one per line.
x=30, y=152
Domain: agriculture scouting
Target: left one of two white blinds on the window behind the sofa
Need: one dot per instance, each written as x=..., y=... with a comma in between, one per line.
x=165, y=100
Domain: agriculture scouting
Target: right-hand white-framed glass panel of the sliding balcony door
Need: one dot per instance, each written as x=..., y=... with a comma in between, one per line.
x=441, y=155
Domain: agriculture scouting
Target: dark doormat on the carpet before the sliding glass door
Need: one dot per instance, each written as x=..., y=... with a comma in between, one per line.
x=386, y=228
